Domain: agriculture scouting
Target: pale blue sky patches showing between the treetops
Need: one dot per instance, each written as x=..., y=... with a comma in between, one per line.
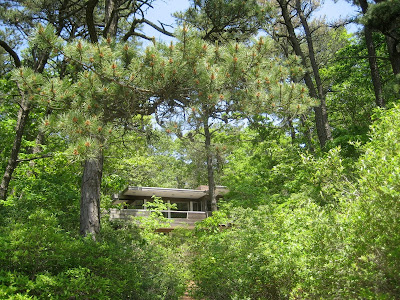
x=163, y=10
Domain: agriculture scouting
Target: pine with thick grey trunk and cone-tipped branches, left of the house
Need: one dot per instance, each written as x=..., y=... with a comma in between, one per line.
x=93, y=103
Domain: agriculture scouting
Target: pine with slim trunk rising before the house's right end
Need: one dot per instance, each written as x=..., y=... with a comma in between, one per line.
x=223, y=85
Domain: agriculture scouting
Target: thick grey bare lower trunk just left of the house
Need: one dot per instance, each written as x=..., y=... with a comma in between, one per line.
x=90, y=196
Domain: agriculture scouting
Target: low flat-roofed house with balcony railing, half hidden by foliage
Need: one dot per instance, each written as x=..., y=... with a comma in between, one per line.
x=192, y=204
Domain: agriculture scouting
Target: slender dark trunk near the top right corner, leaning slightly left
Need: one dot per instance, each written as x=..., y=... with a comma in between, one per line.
x=373, y=65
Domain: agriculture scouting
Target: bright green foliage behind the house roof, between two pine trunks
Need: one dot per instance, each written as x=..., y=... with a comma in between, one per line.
x=148, y=157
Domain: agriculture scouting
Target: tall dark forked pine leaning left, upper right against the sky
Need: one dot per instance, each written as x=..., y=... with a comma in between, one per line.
x=293, y=28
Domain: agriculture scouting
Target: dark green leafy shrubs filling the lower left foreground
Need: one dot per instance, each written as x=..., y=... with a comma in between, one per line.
x=42, y=261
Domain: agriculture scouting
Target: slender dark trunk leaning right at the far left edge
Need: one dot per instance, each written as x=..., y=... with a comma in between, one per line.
x=23, y=115
